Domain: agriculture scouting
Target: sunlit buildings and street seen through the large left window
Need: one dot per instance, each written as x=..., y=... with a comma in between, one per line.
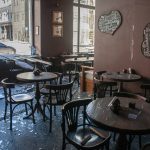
x=16, y=25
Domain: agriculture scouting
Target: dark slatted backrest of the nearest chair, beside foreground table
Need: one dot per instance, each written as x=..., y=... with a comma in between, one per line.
x=71, y=111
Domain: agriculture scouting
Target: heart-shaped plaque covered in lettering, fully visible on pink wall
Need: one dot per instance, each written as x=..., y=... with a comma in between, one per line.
x=109, y=23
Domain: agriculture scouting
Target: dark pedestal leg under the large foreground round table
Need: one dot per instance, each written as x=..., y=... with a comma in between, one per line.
x=122, y=142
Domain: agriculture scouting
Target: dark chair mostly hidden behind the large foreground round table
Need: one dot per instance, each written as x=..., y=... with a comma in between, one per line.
x=135, y=96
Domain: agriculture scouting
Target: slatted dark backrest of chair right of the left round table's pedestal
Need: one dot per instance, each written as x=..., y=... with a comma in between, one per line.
x=60, y=91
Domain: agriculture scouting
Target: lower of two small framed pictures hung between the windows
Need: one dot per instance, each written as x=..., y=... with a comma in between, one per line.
x=57, y=30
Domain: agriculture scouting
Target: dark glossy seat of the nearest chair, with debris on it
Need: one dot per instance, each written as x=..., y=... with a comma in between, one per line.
x=93, y=139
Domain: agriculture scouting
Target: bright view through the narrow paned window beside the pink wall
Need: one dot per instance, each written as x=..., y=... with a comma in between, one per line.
x=83, y=25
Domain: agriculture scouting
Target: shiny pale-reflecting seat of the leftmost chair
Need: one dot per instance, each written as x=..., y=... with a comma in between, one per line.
x=22, y=98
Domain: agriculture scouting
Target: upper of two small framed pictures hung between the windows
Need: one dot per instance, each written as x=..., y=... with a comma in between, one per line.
x=57, y=17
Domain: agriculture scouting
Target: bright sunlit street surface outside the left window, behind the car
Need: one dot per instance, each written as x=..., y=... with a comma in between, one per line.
x=22, y=48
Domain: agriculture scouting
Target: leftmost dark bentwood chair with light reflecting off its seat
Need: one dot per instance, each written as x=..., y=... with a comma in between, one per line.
x=13, y=100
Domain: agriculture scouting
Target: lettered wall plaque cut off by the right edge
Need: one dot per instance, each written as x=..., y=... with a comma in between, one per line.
x=146, y=41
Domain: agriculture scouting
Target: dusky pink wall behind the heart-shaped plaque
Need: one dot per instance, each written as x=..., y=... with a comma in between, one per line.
x=123, y=49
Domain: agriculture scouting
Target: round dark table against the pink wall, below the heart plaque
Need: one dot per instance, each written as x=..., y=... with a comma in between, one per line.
x=121, y=77
